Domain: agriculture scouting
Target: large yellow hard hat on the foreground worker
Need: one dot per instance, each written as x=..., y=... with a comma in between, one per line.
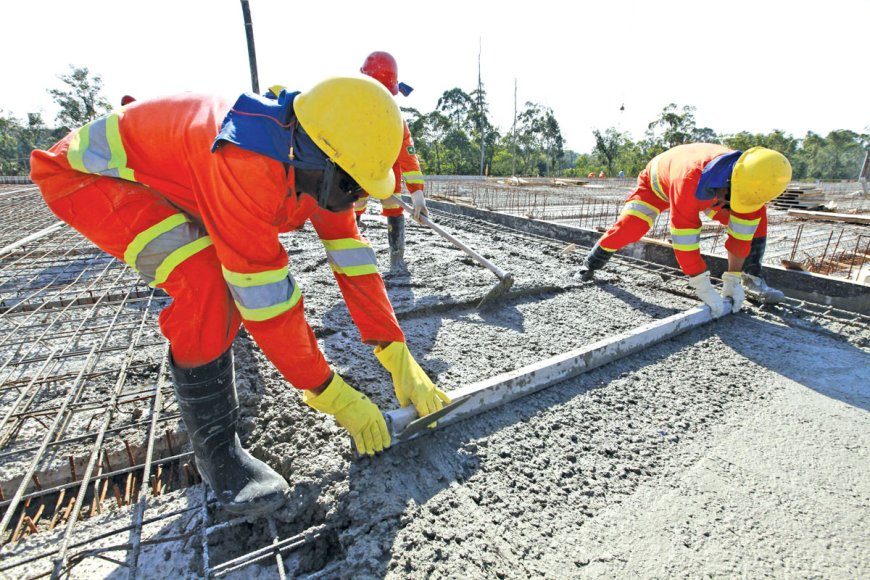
x=356, y=122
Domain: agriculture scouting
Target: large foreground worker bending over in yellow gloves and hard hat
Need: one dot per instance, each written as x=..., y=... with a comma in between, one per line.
x=192, y=191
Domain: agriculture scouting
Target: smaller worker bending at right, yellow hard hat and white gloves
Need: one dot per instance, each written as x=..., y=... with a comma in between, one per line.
x=730, y=187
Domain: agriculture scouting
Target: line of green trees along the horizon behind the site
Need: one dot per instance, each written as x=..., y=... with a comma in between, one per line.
x=459, y=138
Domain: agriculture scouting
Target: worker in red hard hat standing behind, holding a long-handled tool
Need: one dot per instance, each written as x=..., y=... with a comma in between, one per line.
x=382, y=67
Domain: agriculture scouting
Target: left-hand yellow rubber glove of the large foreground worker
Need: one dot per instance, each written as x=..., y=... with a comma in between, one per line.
x=354, y=412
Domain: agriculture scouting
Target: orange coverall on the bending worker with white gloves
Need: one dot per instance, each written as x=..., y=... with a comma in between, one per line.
x=669, y=182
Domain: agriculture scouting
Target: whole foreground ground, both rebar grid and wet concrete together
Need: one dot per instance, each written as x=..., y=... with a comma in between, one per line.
x=736, y=449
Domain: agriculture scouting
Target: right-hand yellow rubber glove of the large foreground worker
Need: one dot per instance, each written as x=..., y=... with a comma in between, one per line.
x=409, y=380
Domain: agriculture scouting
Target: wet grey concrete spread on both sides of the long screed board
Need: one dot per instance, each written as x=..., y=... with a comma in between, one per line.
x=739, y=448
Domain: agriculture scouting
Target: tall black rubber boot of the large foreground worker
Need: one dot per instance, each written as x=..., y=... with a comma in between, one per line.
x=210, y=411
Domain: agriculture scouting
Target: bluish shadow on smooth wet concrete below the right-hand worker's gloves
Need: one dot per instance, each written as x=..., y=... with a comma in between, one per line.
x=826, y=365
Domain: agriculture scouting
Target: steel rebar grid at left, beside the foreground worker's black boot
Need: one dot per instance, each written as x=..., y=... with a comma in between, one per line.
x=76, y=328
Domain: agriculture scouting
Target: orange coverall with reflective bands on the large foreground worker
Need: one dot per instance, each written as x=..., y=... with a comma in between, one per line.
x=144, y=186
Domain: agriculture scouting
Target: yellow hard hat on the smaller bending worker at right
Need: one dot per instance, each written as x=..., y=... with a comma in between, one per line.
x=759, y=175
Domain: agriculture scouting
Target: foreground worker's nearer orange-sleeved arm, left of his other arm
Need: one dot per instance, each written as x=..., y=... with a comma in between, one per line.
x=245, y=193
